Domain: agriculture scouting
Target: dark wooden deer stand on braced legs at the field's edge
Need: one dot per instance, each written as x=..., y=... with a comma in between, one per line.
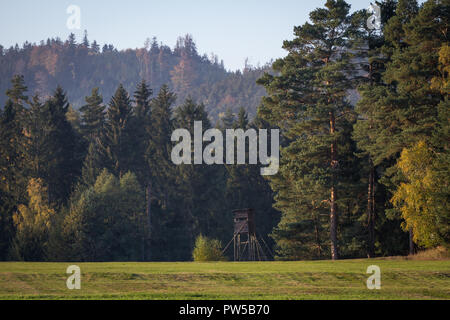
x=245, y=243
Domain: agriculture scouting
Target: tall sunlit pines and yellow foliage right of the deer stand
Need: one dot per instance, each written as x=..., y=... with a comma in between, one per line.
x=370, y=180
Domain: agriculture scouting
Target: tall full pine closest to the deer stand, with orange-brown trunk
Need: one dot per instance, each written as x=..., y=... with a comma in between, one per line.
x=308, y=100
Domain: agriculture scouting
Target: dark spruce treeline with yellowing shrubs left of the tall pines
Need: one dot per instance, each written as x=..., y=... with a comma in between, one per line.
x=99, y=185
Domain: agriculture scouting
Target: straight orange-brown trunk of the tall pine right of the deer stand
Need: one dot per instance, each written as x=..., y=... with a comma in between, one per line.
x=333, y=212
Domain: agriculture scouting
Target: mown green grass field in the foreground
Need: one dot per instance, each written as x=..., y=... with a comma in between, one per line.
x=400, y=279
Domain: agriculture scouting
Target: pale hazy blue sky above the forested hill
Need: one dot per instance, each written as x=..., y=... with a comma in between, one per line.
x=231, y=29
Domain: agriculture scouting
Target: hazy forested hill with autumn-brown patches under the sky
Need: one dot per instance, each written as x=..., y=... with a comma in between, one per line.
x=79, y=67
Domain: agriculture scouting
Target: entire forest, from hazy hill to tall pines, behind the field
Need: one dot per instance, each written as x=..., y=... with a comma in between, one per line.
x=88, y=176
